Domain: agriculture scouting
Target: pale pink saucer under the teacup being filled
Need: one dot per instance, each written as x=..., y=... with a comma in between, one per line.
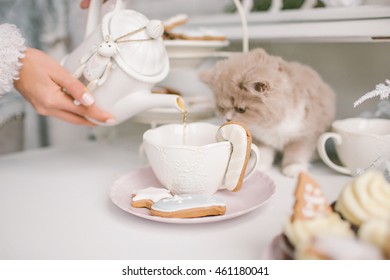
x=255, y=192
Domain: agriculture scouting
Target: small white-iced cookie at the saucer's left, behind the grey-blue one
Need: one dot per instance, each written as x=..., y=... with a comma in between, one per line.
x=144, y=198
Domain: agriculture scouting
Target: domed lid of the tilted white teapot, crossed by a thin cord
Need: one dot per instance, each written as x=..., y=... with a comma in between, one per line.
x=141, y=51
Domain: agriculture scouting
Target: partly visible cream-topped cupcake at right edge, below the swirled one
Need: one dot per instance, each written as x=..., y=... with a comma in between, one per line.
x=377, y=232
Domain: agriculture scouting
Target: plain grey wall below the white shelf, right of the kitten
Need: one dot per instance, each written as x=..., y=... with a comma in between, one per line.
x=352, y=69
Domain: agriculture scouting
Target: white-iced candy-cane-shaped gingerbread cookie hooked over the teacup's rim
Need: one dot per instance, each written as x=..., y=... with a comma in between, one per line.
x=241, y=140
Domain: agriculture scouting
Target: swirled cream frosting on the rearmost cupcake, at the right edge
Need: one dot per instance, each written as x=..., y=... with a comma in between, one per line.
x=365, y=198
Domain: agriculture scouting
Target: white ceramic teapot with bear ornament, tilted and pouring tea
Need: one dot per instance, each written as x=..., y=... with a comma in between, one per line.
x=120, y=61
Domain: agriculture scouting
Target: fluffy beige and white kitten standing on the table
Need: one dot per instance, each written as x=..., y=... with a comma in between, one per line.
x=285, y=105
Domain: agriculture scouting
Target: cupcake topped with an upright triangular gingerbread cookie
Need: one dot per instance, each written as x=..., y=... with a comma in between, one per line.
x=312, y=216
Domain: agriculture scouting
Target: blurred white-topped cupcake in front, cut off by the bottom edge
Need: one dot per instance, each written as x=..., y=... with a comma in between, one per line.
x=337, y=248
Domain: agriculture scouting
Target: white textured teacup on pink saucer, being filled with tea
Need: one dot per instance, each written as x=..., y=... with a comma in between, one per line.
x=199, y=165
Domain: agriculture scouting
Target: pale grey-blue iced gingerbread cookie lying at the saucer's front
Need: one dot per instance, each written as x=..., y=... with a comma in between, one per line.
x=188, y=206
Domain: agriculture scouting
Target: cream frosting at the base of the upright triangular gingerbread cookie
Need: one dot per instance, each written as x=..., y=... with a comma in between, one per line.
x=301, y=231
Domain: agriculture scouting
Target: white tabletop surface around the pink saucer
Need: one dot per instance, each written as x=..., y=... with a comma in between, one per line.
x=54, y=204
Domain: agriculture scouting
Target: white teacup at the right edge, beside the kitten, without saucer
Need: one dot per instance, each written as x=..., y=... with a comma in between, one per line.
x=359, y=142
